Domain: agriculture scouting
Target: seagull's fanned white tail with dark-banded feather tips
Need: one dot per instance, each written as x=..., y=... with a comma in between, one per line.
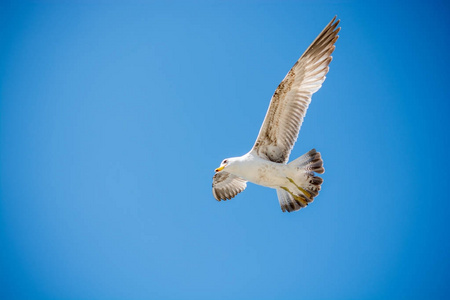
x=305, y=185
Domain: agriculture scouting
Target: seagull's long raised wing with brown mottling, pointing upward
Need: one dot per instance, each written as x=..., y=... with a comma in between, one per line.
x=290, y=101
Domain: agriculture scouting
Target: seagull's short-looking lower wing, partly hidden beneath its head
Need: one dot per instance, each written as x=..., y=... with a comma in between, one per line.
x=226, y=185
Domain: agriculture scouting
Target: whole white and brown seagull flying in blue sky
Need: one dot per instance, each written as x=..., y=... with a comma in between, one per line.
x=266, y=164
